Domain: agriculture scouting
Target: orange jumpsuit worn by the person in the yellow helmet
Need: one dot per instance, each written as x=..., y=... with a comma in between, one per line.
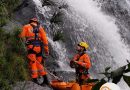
x=84, y=64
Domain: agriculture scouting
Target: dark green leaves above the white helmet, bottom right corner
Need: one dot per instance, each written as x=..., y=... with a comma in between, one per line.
x=114, y=75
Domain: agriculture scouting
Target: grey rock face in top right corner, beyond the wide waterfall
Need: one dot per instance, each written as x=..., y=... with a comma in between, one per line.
x=120, y=10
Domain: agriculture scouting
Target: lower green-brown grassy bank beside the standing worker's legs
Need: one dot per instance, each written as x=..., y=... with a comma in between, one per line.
x=13, y=66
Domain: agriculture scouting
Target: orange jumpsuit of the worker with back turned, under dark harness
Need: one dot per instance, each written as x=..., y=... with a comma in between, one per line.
x=34, y=52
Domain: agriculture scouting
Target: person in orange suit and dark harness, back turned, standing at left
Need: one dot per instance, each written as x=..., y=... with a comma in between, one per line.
x=35, y=38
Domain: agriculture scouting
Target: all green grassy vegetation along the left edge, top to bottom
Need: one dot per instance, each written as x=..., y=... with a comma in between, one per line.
x=13, y=66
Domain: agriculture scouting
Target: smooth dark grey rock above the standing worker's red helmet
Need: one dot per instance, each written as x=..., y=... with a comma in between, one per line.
x=25, y=11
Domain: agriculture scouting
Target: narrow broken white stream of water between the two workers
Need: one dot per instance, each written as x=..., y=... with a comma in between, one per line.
x=58, y=47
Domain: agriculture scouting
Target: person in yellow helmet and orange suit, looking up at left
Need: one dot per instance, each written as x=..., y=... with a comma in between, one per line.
x=81, y=63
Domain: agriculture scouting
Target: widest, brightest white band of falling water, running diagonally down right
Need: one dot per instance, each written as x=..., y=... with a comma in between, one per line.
x=105, y=26
